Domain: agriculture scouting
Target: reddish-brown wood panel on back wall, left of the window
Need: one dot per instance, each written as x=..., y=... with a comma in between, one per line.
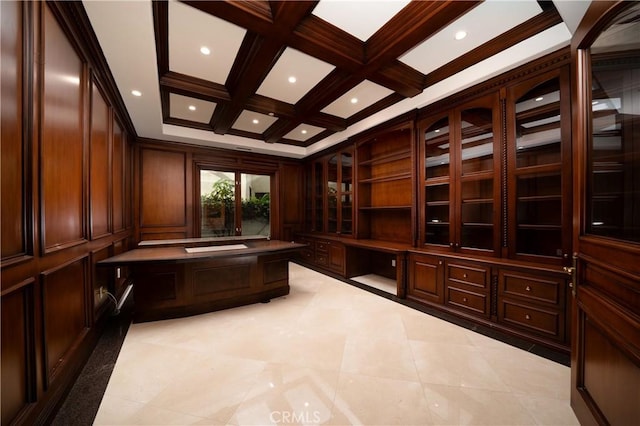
x=163, y=188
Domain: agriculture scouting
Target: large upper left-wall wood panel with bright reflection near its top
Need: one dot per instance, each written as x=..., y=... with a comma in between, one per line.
x=61, y=140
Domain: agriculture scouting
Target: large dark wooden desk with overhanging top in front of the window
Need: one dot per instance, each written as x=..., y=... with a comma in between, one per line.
x=175, y=279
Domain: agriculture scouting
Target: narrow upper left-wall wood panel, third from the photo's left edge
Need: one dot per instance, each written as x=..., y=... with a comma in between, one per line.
x=99, y=164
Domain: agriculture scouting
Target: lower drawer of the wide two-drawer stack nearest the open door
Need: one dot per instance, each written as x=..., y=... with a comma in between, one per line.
x=542, y=321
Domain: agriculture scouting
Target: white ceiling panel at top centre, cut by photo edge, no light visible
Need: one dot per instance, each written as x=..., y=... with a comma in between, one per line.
x=360, y=18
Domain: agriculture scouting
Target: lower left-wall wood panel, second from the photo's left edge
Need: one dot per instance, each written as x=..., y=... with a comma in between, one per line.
x=65, y=311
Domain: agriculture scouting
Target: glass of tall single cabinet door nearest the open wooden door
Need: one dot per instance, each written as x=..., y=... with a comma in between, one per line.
x=538, y=208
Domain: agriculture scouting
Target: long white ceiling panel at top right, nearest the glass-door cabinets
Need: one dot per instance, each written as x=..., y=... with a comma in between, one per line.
x=483, y=23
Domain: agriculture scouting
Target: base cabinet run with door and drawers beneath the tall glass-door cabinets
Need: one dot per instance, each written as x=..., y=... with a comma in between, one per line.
x=529, y=302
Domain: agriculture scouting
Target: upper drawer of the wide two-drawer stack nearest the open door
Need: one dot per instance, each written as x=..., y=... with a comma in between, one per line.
x=539, y=289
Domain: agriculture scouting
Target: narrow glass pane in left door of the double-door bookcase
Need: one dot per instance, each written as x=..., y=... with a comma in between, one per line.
x=437, y=152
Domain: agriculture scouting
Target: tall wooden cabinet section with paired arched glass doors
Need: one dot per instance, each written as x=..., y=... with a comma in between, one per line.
x=460, y=173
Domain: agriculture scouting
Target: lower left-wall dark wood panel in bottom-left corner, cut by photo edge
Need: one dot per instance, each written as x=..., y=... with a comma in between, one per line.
x=17, y=374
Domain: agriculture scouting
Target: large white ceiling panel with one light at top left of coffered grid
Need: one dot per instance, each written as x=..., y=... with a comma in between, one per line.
x=189, y=31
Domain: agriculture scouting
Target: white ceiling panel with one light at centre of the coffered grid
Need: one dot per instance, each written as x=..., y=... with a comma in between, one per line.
x=307, y=71
